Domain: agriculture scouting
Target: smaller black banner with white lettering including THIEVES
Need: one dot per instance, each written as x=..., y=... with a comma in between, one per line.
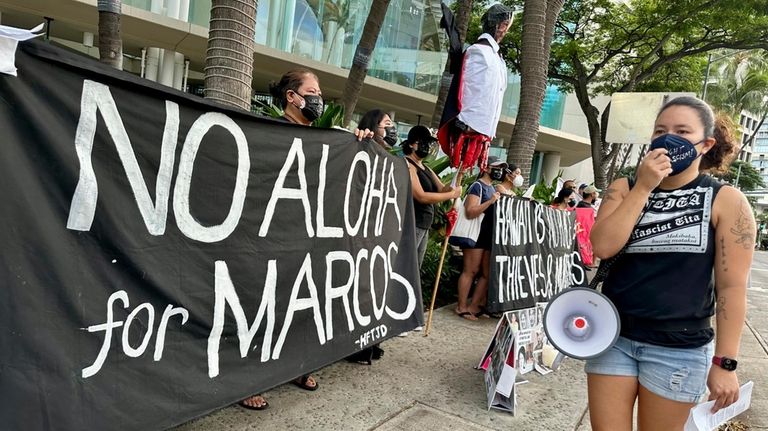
x=534, y=255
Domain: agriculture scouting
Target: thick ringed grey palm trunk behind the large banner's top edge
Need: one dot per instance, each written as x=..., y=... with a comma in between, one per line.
x=229, y=60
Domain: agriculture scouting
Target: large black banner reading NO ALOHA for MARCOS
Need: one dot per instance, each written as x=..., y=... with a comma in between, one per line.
x=164, y=256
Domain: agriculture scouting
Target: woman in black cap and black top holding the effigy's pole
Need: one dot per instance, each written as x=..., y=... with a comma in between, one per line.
x=426, y=186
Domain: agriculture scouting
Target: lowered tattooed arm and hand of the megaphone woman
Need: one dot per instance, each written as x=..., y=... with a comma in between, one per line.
x=735, y=243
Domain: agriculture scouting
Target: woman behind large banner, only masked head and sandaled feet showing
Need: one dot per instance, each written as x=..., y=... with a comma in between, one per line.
x=298, y=93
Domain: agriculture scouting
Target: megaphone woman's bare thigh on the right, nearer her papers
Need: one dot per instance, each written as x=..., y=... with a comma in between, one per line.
x=657, y=413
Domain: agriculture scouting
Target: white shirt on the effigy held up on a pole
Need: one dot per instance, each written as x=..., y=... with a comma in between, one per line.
x=485, y=80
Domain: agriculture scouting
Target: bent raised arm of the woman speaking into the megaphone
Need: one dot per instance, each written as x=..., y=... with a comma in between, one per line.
x=621, y=206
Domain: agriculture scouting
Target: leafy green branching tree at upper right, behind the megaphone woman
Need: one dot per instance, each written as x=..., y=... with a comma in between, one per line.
x=605, y=46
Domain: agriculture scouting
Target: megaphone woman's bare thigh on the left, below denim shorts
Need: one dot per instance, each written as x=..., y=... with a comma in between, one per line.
x=611, y=401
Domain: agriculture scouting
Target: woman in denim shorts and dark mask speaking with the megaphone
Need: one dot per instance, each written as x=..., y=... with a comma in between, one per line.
x=683, y=245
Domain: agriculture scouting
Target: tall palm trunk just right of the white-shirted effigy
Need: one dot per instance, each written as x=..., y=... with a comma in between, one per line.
x=539, y=19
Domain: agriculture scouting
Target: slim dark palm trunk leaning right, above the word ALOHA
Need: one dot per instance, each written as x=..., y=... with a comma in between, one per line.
x=363, y=55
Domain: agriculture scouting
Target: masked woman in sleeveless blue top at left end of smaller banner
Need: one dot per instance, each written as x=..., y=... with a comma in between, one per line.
x=480, y=199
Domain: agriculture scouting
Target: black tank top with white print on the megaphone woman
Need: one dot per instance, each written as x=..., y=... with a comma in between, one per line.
x=666, y=272
